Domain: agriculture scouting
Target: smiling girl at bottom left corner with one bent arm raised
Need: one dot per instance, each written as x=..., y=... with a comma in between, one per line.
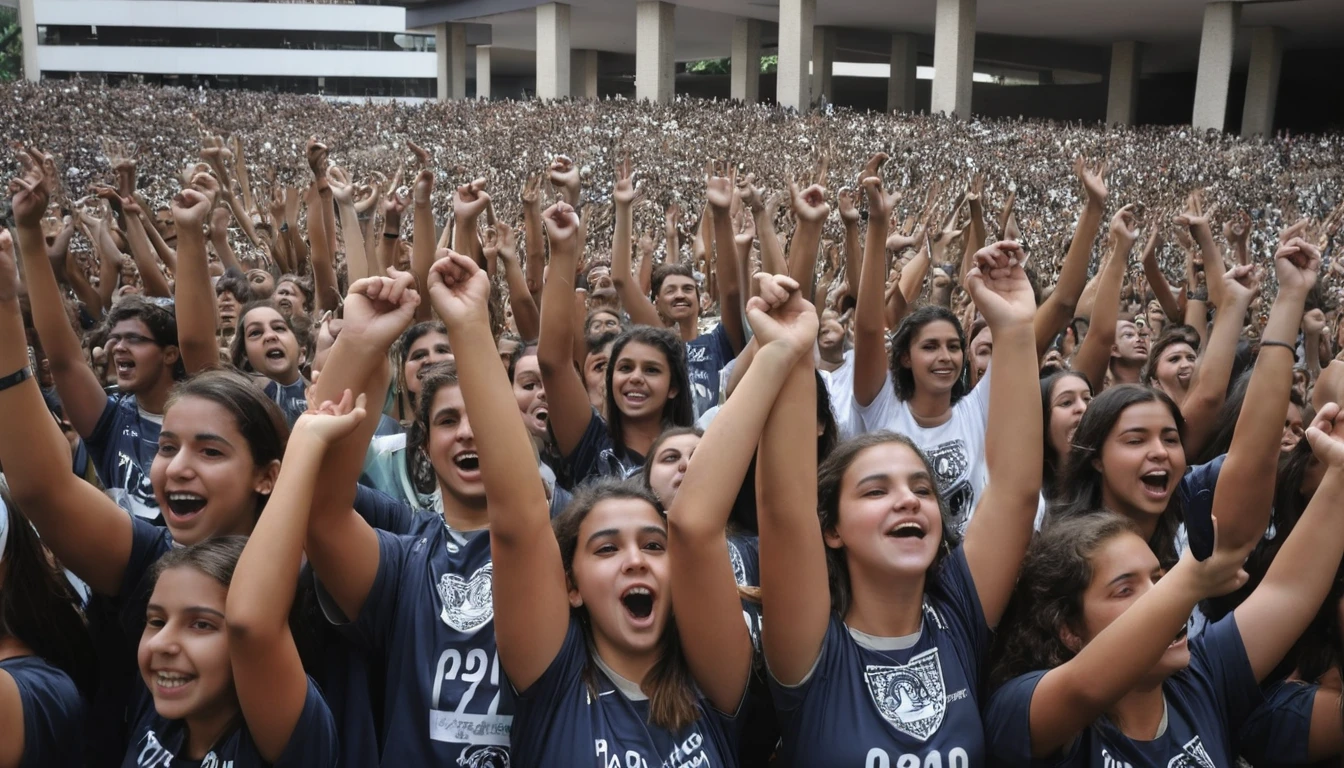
x=222, y=681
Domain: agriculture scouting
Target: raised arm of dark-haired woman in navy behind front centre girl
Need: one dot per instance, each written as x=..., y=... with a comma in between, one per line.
x=565, y=392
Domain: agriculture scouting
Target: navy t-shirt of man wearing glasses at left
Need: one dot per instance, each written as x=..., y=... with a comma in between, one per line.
x=123, y=446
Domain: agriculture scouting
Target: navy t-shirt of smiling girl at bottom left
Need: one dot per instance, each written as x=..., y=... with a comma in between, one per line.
x=155, y=742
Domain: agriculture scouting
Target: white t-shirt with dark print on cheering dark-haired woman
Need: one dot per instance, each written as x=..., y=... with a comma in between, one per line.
x=956, y=449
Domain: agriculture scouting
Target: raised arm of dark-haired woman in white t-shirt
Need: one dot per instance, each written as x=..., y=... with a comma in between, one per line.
x=870, y=332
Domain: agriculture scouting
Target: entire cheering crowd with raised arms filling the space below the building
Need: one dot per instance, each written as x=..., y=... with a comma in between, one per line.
x=521, y=434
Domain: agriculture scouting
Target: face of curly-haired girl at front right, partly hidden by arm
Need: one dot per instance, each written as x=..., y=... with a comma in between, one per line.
x=1124, y=570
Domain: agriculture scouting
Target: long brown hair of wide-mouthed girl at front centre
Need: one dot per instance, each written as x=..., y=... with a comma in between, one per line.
x=673, y=693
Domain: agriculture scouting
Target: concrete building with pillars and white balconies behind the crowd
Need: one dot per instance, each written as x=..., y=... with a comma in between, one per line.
x=1217, y=65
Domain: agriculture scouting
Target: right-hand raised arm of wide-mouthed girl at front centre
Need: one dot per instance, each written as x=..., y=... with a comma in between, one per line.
x=717, y=644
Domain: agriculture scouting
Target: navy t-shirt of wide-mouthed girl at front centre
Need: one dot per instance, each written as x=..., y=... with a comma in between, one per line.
x=560, y=722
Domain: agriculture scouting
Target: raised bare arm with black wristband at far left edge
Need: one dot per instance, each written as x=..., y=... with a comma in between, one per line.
x=87, y=532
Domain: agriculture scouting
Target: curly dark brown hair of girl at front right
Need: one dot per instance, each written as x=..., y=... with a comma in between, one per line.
x=1050, y=594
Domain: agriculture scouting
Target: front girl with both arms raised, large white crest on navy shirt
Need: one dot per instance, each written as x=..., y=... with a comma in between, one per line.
x=884, y=666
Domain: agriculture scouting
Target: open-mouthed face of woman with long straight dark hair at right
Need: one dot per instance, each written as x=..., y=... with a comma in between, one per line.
x=1142, y=462
